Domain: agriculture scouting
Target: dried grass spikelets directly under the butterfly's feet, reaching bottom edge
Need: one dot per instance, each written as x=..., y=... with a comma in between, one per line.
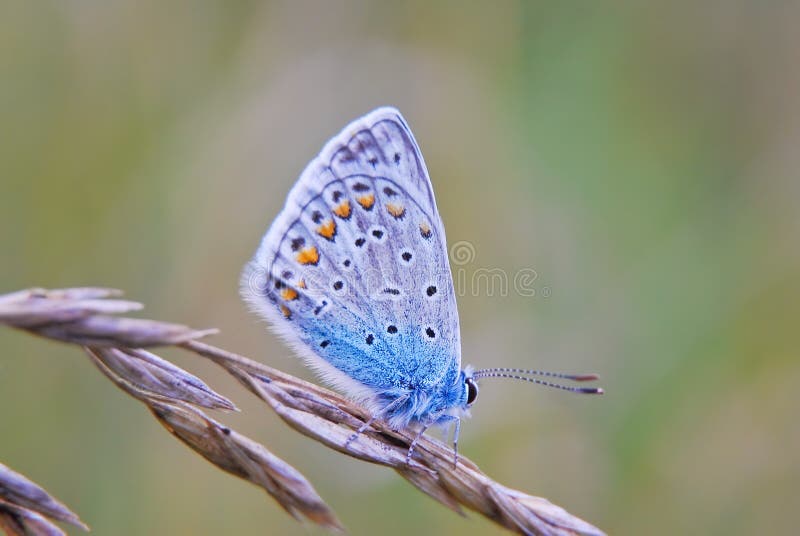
x=331, y=419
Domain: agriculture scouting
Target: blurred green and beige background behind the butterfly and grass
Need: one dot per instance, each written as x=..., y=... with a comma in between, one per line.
x=641, y=158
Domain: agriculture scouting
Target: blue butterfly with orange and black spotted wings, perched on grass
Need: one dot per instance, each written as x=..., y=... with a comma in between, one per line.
x=354, y=275
